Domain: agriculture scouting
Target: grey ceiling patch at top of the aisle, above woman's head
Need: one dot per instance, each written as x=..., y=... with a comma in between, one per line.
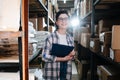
x=68, y=5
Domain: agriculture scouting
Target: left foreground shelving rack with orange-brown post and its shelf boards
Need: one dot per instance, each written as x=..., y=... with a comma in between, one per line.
x=22, y=34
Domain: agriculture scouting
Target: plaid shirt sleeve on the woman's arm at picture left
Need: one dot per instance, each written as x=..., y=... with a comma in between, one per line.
x=46, y=51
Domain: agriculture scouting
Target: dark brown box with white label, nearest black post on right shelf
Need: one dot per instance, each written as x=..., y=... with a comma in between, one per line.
x=95, y=45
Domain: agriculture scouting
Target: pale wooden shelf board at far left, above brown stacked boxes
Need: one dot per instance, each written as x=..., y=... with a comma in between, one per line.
x=10, y=34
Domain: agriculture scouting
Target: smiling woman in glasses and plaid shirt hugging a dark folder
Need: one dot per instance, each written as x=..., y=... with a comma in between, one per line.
x=52, y=68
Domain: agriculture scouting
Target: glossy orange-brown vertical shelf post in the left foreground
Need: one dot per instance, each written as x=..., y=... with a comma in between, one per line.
x=24, y=16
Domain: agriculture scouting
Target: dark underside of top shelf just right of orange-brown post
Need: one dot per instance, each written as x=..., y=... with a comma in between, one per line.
x=37, y=9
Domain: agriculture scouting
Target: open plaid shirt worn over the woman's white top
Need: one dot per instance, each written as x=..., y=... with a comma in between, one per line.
x=51, y=70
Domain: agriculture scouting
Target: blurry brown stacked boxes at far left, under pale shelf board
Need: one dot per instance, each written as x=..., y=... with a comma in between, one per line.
x=8, y=46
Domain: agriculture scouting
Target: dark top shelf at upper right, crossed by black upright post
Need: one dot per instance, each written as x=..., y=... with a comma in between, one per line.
x=103, y=9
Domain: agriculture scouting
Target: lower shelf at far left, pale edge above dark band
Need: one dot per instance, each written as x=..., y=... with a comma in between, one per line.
x=9, y=63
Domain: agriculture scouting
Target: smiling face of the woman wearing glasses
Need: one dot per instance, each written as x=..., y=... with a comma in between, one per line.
x=62, y=21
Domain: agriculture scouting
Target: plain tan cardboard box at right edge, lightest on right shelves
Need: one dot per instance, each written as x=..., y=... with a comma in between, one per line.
x=116, y=37
